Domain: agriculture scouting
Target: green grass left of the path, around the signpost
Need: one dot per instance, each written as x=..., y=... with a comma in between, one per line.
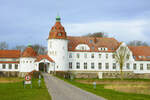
x=12, y=89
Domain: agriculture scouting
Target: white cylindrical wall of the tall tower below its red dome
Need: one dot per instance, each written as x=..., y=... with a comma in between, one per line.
x=58, y=51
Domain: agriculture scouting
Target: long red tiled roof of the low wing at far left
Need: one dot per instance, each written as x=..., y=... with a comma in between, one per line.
x=10, y=53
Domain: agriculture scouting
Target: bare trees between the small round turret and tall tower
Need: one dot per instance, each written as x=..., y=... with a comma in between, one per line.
x=39, y=49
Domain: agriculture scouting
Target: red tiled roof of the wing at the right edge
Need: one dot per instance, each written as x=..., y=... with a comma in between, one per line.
x=141, y=53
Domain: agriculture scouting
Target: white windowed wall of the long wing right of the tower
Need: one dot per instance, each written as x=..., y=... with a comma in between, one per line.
x=103, y=60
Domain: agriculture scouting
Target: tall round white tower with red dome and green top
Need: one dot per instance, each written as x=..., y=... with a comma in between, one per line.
x=58, y=46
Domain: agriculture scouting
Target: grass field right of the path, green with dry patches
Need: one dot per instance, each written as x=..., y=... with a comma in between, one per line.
x=109, y=93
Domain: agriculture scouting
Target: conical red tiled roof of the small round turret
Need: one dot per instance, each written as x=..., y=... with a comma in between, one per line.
x=29, y=52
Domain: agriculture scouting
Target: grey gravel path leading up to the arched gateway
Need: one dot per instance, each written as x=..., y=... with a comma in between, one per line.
x=60, y=90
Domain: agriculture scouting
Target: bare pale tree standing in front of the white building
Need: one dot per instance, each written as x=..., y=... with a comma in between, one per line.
x=122, y=55
